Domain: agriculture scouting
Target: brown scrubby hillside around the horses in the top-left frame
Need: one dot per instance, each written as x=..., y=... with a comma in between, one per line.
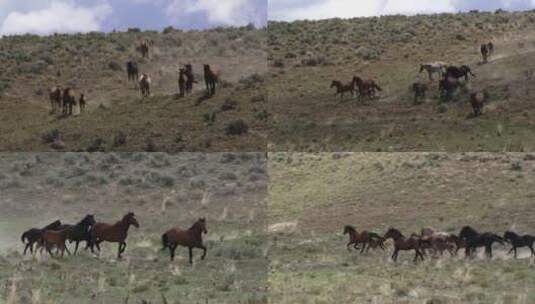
x=94, y=63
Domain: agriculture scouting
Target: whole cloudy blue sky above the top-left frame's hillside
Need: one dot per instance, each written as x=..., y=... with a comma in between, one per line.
x=44, y=17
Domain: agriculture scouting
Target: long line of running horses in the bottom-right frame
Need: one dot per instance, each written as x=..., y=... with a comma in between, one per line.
x=437, y=242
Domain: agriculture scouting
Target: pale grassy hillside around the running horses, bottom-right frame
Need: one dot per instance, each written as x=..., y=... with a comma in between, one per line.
x=312, y=197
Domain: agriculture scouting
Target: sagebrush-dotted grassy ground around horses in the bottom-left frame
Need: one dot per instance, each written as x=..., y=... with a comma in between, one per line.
x=164, y=191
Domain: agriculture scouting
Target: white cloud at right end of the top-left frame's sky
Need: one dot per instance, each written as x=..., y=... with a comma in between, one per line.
x=223, y=12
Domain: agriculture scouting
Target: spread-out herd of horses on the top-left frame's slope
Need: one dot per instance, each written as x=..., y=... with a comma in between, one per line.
x=63, y=100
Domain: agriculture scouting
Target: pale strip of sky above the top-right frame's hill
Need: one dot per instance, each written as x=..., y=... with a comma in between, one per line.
x=290, y=10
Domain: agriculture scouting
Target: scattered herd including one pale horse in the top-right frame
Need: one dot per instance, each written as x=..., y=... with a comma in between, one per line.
x=450, y=79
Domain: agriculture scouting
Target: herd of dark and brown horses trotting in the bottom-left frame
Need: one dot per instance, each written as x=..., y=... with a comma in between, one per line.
x=55, y=236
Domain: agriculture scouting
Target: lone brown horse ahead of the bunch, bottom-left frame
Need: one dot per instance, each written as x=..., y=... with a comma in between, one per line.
x=191, y=238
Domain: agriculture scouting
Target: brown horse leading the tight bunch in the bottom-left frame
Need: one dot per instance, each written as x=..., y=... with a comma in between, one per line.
x=114, y=233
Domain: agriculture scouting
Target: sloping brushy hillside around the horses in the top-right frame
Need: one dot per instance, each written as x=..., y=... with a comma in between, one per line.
x=305, y=56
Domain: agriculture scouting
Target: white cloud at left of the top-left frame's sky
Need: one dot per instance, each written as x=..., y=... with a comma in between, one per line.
x=58, y=16
